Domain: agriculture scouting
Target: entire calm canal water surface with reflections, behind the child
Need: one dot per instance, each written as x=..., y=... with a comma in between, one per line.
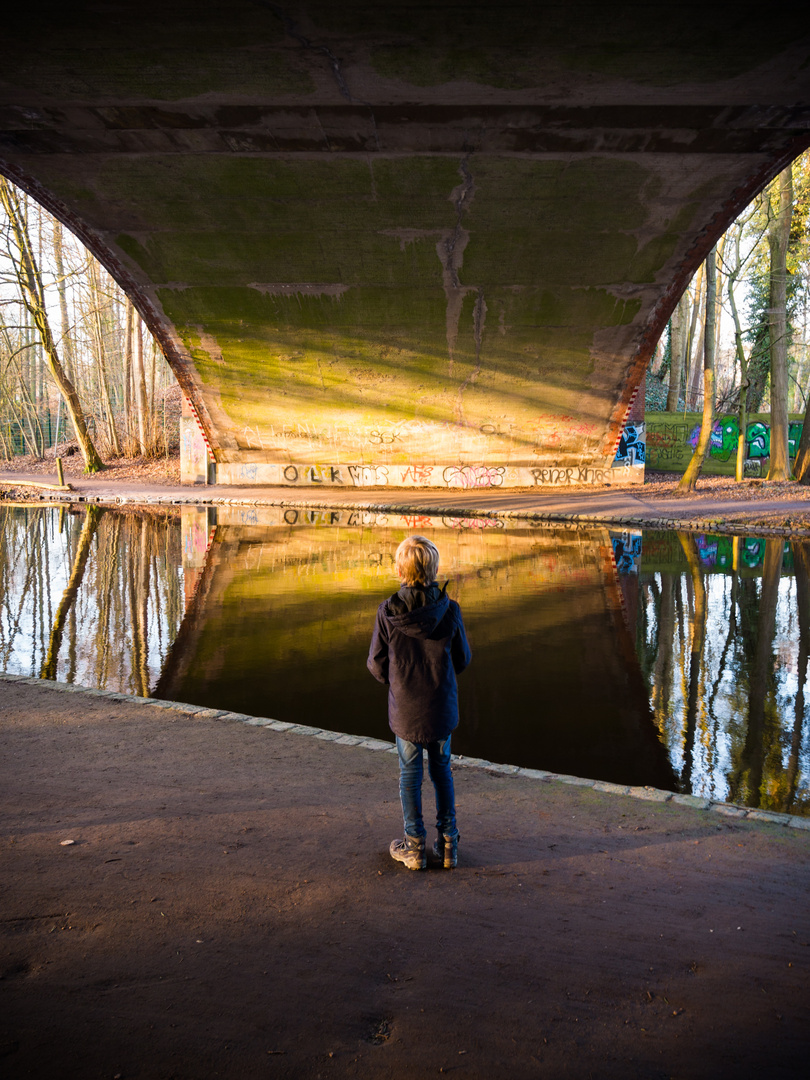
x=667, y=659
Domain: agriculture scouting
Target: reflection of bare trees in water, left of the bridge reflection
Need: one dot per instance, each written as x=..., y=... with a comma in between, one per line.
x=103, y=632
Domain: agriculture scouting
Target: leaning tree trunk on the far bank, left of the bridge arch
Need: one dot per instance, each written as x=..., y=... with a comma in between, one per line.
x=31, y=283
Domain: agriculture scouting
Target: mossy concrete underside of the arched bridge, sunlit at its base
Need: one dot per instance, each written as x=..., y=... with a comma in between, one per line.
x=412, y=244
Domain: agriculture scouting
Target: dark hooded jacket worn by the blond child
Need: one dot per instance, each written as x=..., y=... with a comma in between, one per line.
x=418, y=647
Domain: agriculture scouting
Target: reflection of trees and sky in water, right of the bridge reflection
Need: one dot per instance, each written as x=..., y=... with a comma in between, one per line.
x=723, y=633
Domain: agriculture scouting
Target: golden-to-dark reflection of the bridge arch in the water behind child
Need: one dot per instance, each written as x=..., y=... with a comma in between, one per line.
x=281, y=619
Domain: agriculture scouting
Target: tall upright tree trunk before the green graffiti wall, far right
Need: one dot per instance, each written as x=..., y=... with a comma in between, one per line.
x=779, y=236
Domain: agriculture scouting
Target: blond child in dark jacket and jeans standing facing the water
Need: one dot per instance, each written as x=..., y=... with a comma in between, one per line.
x=418, y=647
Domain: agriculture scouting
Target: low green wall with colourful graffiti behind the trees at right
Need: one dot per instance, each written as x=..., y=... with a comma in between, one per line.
x=672, y=438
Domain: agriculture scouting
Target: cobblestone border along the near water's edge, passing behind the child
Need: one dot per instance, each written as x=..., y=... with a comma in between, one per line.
x=343, y=739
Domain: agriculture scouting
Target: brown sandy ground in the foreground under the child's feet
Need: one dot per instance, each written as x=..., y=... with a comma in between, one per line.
x=228, y=909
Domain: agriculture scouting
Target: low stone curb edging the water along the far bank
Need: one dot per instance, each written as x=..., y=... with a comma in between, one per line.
x=686, y=525
